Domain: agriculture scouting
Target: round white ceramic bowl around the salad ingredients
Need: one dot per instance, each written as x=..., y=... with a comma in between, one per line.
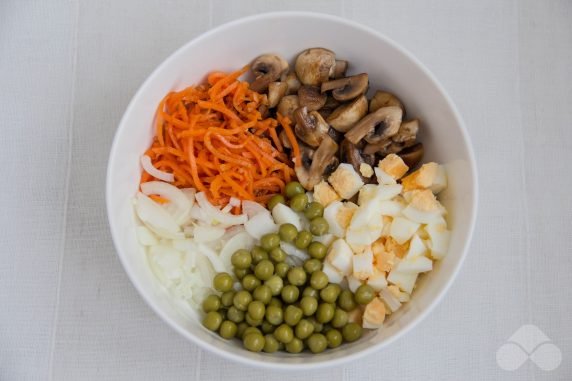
x=390, y=67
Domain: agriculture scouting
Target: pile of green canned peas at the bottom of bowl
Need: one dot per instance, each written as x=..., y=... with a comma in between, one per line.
x=280, y=307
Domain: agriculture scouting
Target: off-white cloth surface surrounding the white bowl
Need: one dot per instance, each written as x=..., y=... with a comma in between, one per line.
x=68, y=70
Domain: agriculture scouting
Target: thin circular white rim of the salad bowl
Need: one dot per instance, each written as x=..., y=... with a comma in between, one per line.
x=351, y=356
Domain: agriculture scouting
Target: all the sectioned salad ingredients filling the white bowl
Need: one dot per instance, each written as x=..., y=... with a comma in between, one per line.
x=291, y=209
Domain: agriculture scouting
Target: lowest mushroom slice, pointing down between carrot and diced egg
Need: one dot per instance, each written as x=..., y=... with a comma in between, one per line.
x=316, y=164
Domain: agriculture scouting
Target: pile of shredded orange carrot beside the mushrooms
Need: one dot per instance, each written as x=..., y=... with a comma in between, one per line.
x=213, y=138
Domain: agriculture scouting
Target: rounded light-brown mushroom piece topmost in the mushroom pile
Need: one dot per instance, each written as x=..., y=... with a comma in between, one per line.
x=315, y=65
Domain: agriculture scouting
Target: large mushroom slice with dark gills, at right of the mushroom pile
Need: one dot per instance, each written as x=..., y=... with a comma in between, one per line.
x=377, y=126
